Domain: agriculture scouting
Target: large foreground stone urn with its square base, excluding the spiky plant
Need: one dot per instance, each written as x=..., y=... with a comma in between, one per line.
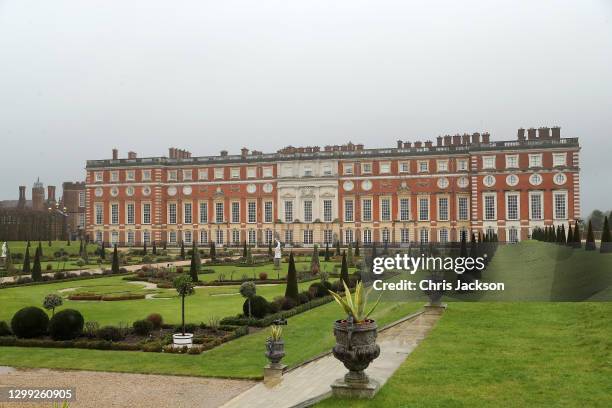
x=356, y=348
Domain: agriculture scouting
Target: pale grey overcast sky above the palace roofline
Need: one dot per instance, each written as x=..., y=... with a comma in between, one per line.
x=78, y=78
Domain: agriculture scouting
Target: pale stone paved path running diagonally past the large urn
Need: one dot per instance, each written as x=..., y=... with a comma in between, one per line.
x=310, y=383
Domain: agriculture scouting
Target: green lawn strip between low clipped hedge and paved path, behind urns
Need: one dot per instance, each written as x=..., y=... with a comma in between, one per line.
x=306, y=335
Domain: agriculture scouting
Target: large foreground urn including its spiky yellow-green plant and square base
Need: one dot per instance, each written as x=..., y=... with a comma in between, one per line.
x=356, y=344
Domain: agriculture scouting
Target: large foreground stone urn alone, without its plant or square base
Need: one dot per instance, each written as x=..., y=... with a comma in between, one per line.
x=356, y=347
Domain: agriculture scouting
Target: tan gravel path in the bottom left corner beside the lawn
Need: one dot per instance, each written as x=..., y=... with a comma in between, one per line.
x=102, y=389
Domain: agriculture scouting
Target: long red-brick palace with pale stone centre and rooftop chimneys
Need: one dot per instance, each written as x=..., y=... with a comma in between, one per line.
x=411, y=192
